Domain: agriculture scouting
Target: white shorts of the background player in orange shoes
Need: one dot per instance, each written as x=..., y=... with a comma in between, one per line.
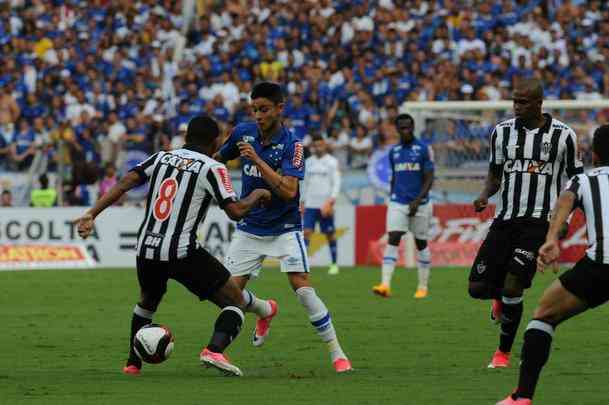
x=399, y=221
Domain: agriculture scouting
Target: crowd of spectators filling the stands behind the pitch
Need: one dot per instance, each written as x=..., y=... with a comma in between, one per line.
x=87, y=83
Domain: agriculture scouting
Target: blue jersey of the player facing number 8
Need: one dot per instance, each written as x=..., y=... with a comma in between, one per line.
x=285, y=154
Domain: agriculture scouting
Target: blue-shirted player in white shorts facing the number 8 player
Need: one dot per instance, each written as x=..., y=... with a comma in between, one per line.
x=272, y=158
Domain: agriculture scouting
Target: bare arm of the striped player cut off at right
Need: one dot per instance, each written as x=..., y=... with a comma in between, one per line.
x=567, y=201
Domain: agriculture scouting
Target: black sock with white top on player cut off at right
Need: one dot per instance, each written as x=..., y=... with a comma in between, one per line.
x=535, y=354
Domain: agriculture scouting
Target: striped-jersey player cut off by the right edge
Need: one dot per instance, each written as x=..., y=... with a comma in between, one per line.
x=584, y=286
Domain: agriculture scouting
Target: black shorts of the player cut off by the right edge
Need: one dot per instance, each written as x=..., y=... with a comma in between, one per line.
x=588, y=281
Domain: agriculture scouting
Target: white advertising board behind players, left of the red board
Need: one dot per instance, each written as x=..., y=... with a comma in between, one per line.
x=112, y=244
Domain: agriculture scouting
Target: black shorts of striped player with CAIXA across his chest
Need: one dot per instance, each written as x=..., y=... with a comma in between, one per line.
x=510, y=247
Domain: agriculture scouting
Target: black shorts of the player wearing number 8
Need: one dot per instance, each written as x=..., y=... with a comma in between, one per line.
x=201, y=273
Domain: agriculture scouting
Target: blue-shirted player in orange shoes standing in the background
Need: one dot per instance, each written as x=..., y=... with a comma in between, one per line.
x=412, y=172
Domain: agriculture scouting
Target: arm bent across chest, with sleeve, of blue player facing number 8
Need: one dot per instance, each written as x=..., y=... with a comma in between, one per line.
x=285, y=185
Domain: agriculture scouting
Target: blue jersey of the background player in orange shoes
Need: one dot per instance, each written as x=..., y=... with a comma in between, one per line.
x=408, y=162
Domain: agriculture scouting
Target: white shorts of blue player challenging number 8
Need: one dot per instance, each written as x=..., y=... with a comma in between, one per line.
x=247, y=252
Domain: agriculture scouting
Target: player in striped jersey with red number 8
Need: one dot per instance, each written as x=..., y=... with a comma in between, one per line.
x=183, y=184
